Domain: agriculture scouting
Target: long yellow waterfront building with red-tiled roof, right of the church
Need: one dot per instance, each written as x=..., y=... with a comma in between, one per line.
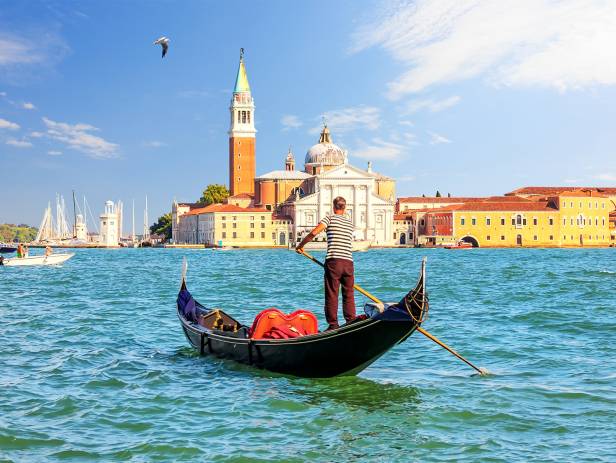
x=569, y=219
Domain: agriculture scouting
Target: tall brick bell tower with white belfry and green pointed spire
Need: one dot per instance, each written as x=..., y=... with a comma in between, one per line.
x=242, y=164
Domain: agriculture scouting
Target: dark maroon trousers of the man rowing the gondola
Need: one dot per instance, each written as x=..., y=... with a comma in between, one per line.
x=337, y=272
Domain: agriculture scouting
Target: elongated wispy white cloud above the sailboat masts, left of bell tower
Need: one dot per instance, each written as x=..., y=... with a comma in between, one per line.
x=78, y=137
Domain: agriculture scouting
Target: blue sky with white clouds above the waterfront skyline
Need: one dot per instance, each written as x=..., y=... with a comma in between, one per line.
x=467, y=97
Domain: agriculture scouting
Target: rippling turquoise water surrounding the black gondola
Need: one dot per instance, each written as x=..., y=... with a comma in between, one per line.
x=94, y=366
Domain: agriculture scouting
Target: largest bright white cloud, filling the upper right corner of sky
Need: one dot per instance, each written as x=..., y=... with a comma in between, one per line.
x=567, y=44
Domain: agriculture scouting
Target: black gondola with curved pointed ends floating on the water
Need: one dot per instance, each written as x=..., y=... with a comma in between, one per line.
x=343, y=351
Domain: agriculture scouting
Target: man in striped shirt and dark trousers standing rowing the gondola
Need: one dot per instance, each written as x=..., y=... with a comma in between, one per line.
x=339, y=269
